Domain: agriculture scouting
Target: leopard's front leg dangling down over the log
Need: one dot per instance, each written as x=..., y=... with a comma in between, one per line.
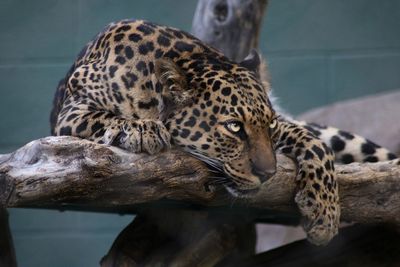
x=317, y=196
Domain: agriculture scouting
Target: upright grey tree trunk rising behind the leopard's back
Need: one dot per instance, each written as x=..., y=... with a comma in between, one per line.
x=232, y=26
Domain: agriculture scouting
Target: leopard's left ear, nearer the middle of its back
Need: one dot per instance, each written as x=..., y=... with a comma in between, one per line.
x=170, y=75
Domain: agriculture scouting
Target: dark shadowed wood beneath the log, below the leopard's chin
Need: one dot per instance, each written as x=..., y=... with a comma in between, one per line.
x=179, y=237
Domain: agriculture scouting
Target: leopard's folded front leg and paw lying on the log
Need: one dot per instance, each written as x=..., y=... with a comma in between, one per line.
x=80, y=119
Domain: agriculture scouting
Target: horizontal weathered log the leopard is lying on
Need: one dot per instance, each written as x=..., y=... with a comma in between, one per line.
x=67, y=172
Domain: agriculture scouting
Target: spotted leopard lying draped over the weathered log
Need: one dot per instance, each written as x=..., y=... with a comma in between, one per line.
x=145, y=88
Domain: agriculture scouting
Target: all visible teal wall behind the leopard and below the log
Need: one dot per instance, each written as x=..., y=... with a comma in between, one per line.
x=319, y=52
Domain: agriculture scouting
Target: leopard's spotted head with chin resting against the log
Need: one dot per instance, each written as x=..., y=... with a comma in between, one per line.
x=222, y=115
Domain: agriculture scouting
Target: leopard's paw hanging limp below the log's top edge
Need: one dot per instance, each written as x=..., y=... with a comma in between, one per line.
x=320, y=217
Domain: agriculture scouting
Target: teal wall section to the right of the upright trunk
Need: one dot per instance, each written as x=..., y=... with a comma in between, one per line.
x=322, y=51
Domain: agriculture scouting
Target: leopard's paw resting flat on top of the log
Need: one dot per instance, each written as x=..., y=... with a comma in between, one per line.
x=139, y=136
